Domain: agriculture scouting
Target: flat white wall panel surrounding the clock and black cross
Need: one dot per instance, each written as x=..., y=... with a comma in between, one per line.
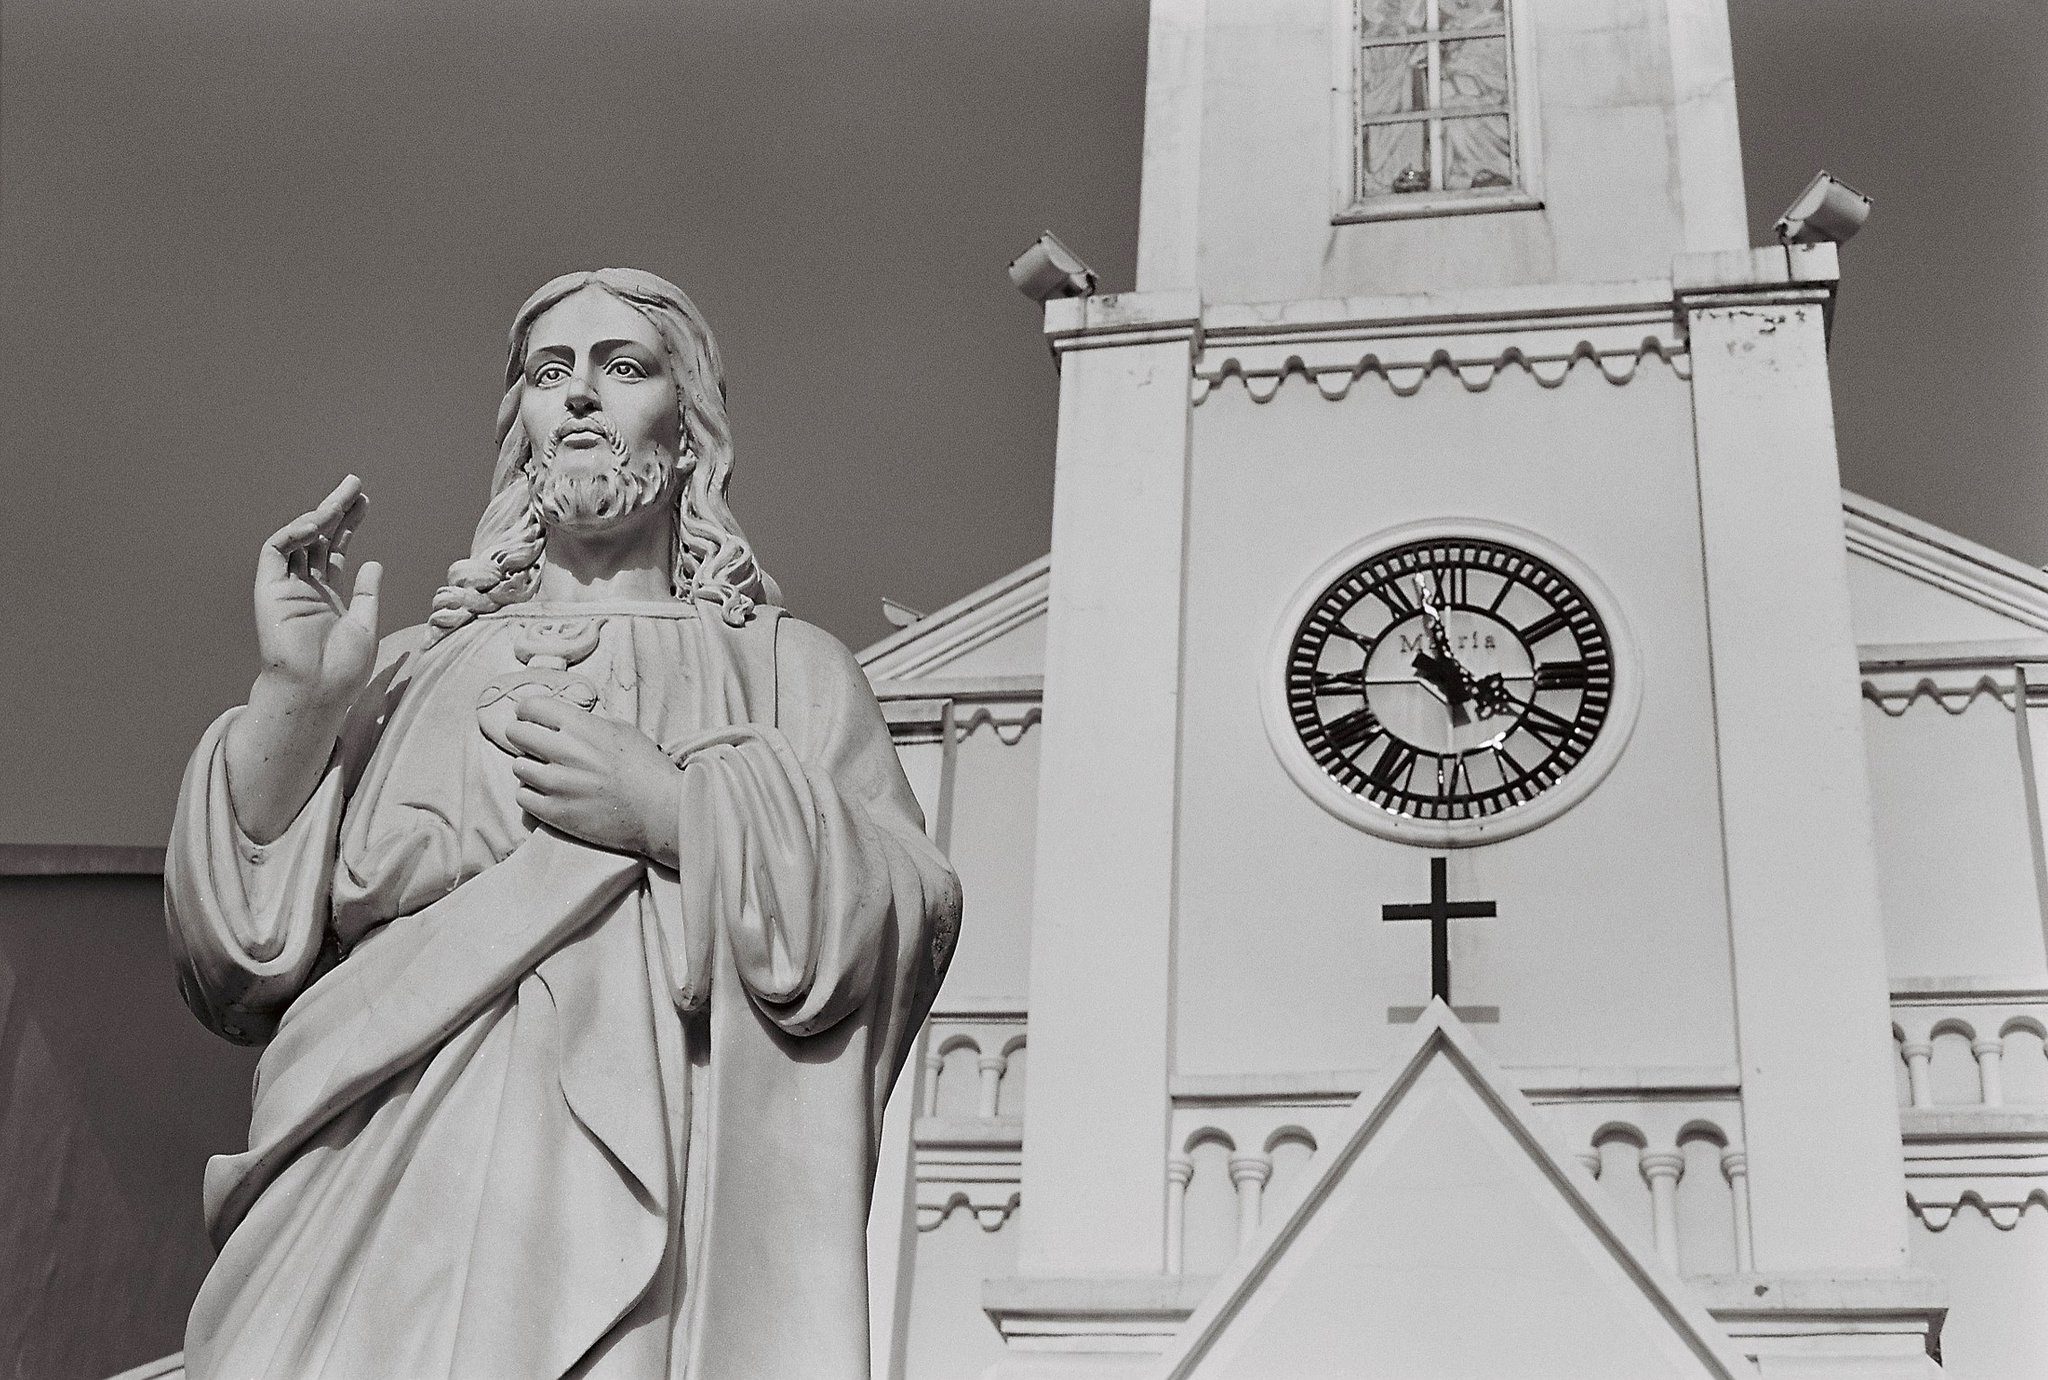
x=1613, y=933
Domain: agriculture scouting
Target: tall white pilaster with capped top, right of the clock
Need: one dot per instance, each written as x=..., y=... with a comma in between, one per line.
x=1824, y=1164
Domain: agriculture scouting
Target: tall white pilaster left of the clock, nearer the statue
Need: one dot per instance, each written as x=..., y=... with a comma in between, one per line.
x=1101, y=965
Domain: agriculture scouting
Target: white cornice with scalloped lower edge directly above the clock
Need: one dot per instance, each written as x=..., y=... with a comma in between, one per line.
x=1471, y=337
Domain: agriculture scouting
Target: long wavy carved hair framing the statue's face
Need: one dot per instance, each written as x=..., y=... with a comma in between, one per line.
x=712, y=562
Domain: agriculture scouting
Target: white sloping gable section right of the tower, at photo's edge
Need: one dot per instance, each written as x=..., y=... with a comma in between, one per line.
x=1914, y=583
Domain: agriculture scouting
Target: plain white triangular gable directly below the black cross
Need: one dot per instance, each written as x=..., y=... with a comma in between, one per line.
x=1441, y=1236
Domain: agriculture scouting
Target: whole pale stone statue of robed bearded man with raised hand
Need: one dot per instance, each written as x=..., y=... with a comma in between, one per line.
x=587, y=929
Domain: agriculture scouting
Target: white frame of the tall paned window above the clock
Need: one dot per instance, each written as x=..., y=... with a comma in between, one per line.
x=1351, y=208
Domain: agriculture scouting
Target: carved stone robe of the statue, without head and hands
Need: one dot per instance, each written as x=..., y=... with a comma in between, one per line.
x=536, y=1109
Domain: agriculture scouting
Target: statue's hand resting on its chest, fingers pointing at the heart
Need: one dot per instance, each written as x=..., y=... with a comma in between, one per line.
x=599, y=779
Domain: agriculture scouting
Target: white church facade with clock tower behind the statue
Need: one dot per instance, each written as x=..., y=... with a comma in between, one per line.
x=1453, y=595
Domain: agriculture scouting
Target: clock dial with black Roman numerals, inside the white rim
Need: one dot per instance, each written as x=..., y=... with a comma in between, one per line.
x=1449, y=679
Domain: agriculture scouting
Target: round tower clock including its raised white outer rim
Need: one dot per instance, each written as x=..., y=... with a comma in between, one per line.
x=1451, y=685
